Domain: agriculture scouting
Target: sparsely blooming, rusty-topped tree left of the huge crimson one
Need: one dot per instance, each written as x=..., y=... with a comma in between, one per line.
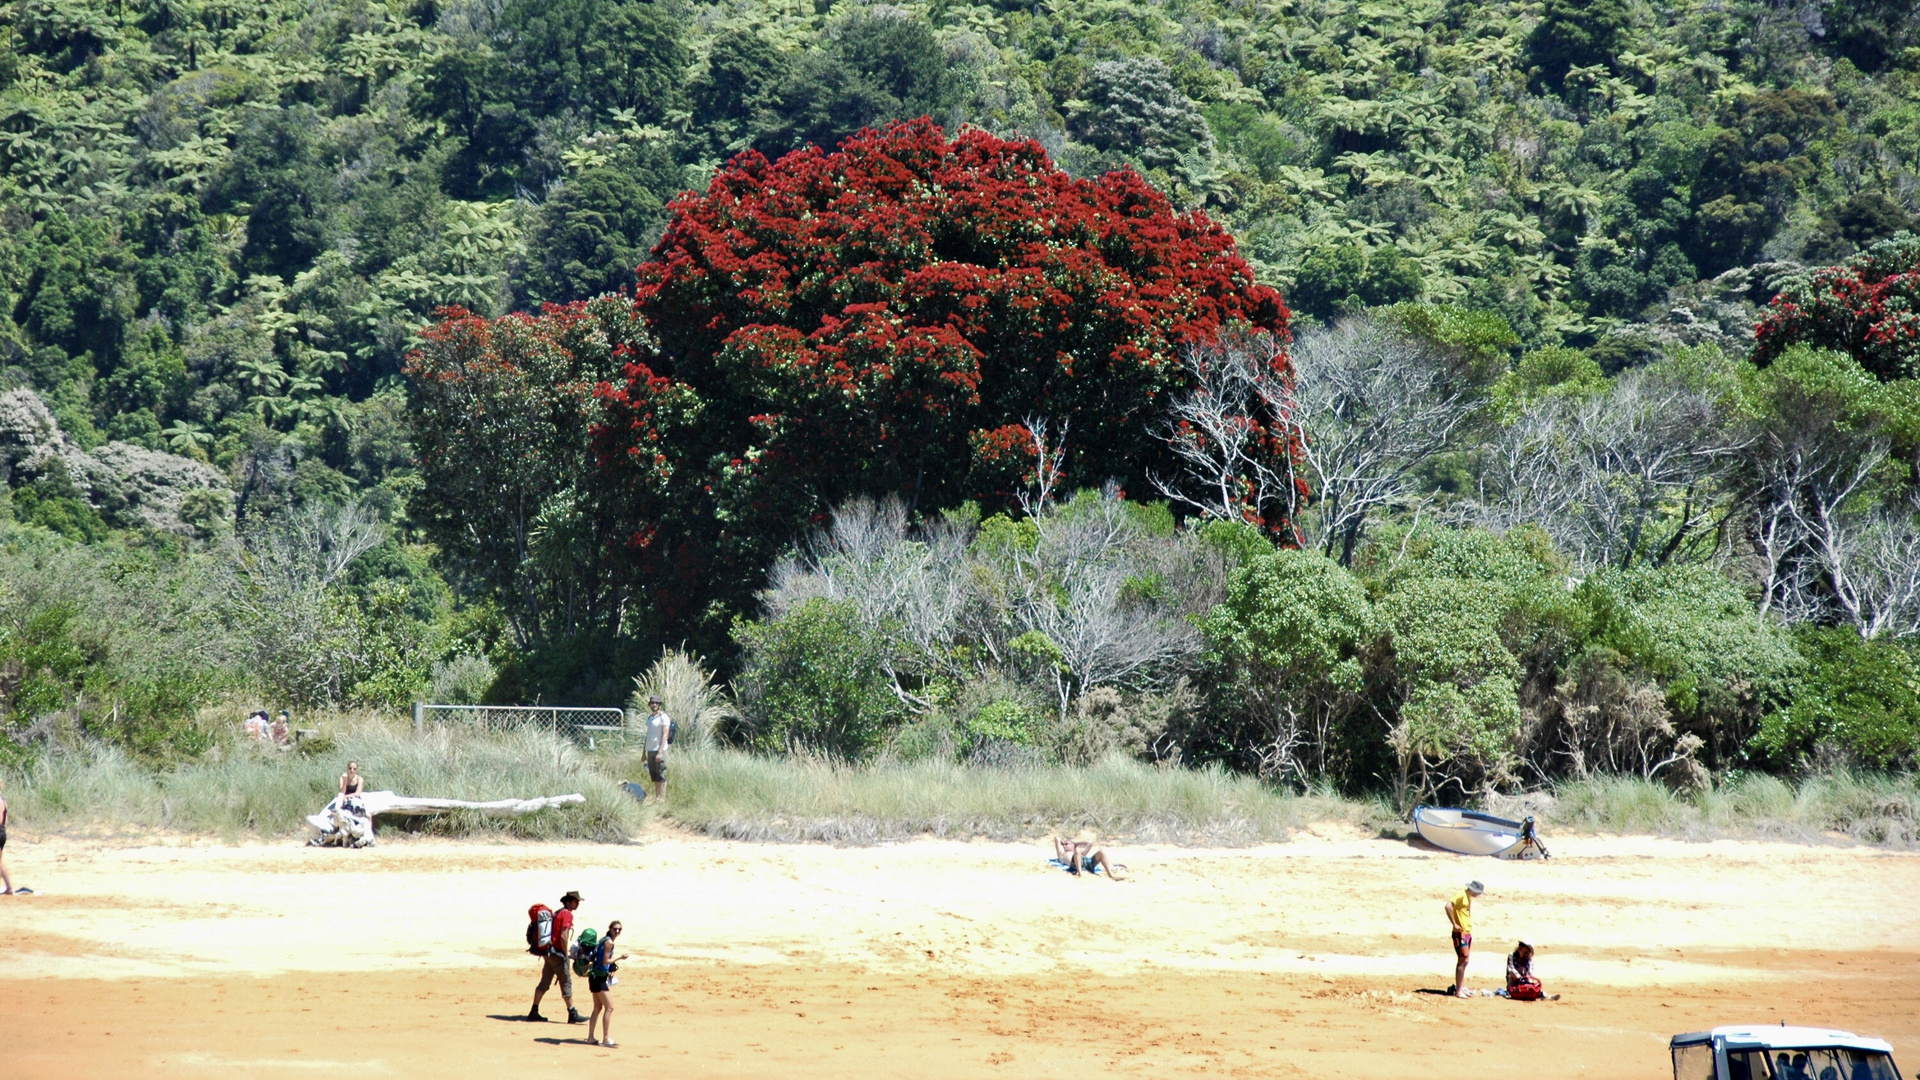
x=504, y=418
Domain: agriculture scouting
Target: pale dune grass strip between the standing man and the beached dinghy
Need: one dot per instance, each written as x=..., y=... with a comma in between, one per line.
x=769, y=798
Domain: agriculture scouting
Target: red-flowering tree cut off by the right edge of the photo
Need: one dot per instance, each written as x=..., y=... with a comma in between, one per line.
x=1867, y=307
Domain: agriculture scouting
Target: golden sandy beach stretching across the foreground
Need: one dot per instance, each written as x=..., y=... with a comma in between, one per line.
x=1318, y=958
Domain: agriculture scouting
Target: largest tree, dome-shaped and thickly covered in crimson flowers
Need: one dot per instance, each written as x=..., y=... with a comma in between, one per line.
x=876, y=322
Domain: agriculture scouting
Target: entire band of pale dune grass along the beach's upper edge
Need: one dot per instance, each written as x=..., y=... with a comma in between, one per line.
x=243, y=789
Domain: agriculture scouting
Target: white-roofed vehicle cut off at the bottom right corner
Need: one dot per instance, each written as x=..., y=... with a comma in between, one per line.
x=1781, y=1054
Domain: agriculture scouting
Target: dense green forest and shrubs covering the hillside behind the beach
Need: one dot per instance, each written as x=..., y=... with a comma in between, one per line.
x=1554, y=506
